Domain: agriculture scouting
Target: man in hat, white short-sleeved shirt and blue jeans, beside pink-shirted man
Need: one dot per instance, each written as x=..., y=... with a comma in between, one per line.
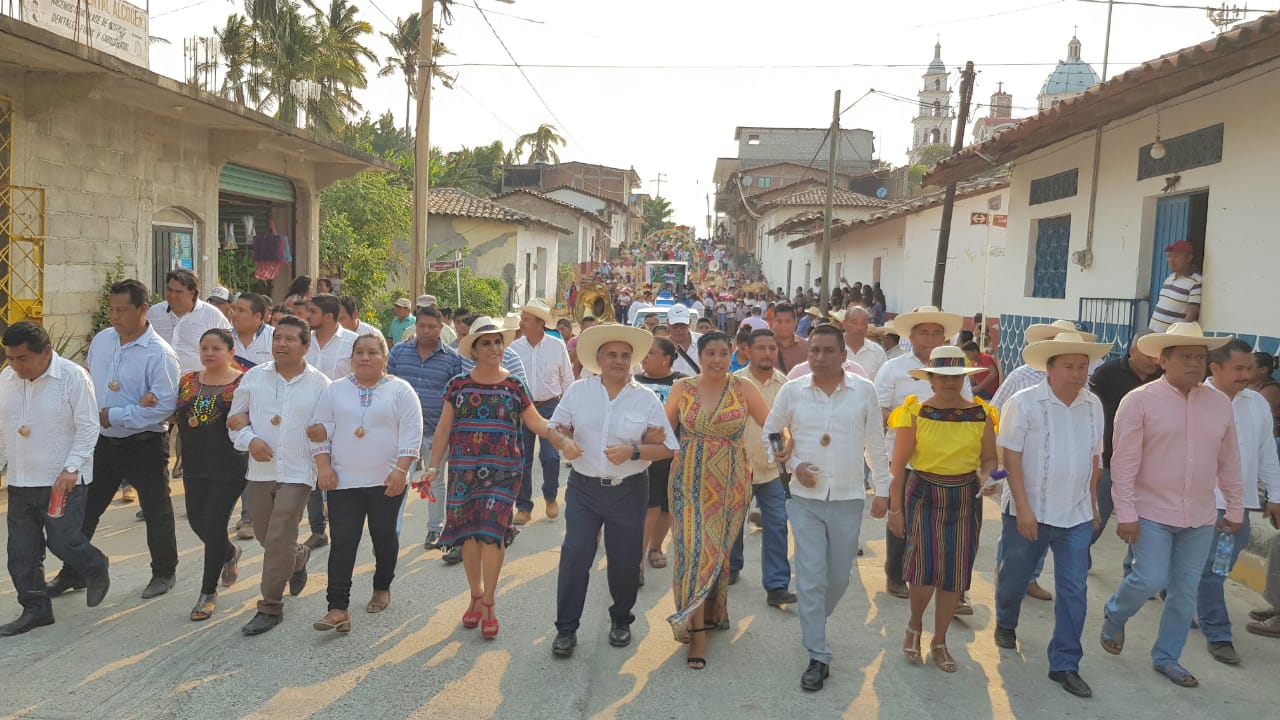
x=1052, y=436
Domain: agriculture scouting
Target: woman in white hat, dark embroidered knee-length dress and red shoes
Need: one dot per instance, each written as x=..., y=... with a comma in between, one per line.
x=481, y=425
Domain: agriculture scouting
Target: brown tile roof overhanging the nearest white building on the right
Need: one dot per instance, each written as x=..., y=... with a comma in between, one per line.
x=1131, y=93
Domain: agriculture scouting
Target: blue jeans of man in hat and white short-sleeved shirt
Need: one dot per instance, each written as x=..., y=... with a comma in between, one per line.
x=1014, y=571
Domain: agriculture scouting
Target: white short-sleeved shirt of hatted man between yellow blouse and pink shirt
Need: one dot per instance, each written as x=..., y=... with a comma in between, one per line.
x=1062, y=446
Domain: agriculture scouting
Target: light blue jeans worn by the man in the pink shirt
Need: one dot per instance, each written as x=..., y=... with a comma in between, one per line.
x=1164, y=559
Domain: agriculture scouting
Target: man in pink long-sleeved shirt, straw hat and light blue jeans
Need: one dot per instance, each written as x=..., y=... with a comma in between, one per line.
x=1174, y=444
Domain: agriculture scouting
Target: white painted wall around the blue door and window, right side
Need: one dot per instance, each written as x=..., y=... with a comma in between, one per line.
x=1241, y=248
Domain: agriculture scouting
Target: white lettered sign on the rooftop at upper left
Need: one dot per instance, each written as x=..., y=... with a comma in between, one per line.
x=115, y=28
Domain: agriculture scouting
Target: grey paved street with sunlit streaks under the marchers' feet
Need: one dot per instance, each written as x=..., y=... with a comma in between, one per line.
x=144, y=659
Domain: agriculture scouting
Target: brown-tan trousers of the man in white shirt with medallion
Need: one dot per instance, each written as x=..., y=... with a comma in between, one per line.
x=277, y=509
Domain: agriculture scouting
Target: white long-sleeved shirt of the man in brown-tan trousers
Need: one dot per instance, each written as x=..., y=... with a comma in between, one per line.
x=266, y=395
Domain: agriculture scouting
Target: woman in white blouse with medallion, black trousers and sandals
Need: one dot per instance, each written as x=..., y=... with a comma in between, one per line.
x=367, y=430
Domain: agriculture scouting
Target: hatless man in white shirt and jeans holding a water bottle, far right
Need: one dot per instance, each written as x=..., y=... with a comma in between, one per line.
x=1232, y=367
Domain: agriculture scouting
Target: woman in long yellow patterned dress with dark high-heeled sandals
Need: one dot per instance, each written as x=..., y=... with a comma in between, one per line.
x=711, y=485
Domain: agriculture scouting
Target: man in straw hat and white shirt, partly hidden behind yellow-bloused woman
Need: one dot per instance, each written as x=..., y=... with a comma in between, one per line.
x=927, y=327
